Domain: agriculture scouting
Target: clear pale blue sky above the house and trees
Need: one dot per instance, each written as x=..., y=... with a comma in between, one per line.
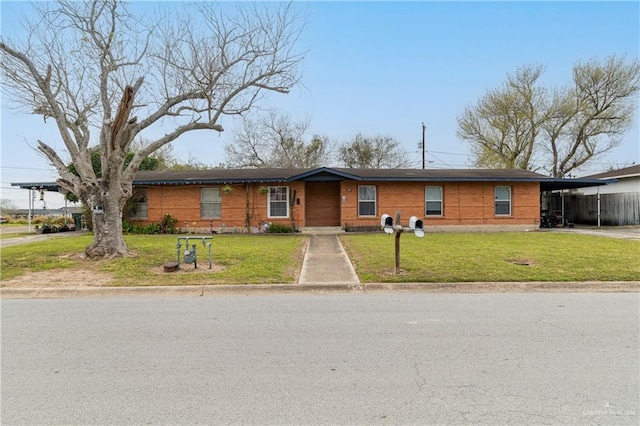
x=386, y=67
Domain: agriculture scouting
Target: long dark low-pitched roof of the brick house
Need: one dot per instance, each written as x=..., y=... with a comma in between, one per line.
x=231, y=176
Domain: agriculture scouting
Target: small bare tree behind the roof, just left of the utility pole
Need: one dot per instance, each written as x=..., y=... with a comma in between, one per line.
x=375, y=152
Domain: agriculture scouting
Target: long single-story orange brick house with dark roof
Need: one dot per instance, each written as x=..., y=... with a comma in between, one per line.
x=353, y=199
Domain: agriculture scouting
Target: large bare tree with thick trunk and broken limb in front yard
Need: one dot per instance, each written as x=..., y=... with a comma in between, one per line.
x=95, y=69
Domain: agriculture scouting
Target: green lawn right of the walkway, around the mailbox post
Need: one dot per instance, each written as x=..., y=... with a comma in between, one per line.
x=533, y=256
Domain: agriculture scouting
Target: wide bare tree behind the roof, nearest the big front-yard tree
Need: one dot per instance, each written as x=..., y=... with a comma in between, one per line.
x=276, y=141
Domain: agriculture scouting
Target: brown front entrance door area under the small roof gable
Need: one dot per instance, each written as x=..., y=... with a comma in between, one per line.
x=322, y=203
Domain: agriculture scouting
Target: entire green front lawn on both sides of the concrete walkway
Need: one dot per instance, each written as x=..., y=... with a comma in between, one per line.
x=254, y=259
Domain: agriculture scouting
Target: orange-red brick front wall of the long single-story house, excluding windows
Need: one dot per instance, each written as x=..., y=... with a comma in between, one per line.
x=335, y=203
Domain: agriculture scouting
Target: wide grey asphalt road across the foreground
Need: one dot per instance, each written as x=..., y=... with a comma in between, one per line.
x=384, y=358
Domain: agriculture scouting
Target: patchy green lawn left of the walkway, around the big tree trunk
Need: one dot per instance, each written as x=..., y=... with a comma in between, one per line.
x=237, y=259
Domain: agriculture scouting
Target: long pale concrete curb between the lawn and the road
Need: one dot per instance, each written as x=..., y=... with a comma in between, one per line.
x=249, y=289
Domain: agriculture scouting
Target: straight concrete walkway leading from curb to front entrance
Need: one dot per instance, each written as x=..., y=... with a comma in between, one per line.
x=325, y=262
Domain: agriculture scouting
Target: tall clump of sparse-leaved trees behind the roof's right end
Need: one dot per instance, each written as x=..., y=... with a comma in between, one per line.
x=524, y=126
